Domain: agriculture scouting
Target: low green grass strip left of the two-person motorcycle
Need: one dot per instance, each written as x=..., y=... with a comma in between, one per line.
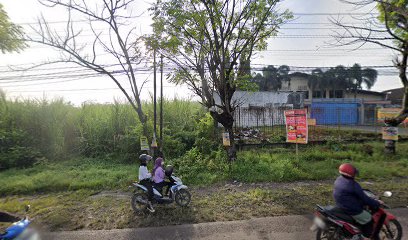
x=68, y=175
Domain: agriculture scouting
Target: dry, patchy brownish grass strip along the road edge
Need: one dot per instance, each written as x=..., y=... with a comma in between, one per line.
x=222, y=202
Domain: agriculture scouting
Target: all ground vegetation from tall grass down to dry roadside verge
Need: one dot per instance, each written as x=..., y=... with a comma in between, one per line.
x=74, y=166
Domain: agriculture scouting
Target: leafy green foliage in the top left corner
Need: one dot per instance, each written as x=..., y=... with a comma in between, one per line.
x=10, y=34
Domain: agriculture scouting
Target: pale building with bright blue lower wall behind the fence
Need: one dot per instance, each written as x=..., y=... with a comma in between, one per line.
x=336, y=106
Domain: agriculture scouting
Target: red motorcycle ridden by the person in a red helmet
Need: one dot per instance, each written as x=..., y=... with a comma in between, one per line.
x=332, y=223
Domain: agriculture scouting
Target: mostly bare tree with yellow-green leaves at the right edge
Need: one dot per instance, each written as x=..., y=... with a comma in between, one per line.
x=386, y=26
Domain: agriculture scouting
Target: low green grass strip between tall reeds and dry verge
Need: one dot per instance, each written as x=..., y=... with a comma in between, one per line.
x=262, y=165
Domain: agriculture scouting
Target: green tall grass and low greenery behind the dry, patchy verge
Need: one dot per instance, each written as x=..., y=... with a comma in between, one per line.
x=51, y=146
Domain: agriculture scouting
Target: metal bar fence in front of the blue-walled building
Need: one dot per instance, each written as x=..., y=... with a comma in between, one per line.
x=256, y=124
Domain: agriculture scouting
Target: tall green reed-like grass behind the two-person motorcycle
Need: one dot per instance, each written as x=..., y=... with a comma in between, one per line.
x=60, y=130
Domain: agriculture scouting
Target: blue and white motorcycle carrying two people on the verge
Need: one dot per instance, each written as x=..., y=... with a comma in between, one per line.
x=178, y=193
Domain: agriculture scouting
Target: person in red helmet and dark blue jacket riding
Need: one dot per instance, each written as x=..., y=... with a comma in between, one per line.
x=351, y=199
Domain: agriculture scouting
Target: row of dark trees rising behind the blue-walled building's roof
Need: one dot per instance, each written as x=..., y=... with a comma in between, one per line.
x=339, y=77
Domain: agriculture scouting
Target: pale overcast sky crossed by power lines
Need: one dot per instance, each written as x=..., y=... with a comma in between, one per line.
x=304, y=42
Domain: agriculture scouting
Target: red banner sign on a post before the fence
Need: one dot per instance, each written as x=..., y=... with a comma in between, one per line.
x=296, y=126
